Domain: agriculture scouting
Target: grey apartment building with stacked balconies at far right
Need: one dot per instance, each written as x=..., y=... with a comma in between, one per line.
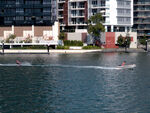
x=142, y=18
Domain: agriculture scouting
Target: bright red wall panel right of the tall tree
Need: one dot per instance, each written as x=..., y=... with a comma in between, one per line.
x=110, y=40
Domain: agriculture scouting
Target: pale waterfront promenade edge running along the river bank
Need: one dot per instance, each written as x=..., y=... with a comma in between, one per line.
x=44, y=51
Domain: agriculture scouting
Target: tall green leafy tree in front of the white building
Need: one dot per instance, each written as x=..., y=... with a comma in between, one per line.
x=95, y=26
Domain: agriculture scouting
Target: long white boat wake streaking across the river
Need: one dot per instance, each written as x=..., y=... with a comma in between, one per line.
x=26, y=64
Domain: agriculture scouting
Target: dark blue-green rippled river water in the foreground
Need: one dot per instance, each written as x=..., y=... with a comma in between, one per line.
x=57, y=83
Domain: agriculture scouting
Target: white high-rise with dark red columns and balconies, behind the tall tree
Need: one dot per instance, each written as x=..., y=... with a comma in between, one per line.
x=73, y=14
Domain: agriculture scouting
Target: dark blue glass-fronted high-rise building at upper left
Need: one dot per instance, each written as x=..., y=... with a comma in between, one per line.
x=26, y=12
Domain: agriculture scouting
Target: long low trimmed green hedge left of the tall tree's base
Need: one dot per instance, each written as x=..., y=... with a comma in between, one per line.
x=73, y=43
